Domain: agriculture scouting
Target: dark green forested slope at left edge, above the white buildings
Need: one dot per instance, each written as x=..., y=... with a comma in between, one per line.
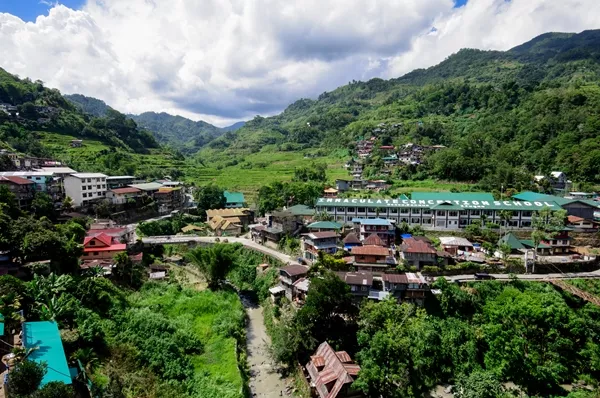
x=42, y=110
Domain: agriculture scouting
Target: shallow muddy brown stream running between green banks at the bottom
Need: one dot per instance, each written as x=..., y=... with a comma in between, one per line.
x=265, y=382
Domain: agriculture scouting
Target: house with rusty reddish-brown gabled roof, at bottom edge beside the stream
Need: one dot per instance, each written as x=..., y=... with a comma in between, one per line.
x=332, y=373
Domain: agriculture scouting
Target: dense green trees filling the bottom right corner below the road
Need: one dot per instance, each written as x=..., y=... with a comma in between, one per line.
x=477, y=337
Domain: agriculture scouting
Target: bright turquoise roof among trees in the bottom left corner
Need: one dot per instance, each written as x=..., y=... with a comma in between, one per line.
x=46, y=338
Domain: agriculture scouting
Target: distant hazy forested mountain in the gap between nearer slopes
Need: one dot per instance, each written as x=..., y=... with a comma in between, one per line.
x=177, y=131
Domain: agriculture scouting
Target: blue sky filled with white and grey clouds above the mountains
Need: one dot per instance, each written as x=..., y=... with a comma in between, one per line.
x=228, y=60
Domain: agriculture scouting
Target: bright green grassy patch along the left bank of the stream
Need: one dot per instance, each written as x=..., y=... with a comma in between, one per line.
x=215, y=317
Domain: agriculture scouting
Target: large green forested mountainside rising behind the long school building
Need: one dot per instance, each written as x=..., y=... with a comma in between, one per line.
x=502, y=115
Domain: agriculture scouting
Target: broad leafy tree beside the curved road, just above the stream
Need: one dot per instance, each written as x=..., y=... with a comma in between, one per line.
x=214, y=262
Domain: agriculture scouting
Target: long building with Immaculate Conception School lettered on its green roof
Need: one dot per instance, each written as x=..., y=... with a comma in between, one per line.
x=439, y=211
